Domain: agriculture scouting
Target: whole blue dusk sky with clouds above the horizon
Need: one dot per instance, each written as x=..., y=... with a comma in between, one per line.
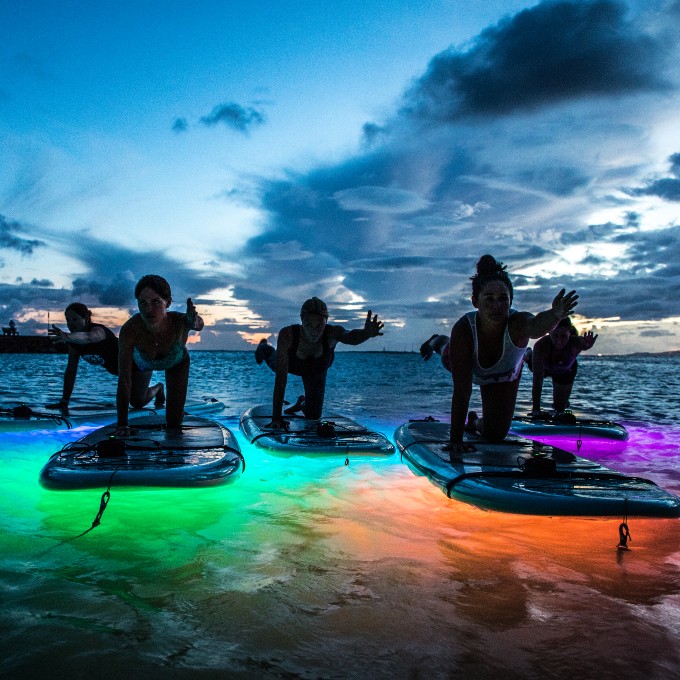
x=257, y=154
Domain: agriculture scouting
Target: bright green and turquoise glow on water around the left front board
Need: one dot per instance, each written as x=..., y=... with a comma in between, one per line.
x=275, y=519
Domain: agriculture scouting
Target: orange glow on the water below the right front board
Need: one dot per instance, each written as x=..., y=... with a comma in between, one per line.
x=411, y=519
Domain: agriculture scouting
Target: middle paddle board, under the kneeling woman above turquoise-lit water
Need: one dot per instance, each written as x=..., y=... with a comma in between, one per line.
x=330, y=435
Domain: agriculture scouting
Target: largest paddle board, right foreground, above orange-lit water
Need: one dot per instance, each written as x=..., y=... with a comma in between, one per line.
x=517, y=475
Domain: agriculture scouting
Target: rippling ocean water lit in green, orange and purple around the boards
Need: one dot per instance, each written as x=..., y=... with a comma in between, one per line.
x=315, y=569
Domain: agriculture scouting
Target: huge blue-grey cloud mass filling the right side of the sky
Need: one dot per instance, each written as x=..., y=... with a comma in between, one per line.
x=398, y=225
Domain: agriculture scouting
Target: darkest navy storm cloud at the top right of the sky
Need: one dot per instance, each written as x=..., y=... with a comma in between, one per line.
x=550, y=53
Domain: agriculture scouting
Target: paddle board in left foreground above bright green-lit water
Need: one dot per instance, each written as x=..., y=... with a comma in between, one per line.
x=202, y=453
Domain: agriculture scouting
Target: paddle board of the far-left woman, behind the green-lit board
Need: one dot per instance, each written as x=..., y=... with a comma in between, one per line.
x=22, y=417
